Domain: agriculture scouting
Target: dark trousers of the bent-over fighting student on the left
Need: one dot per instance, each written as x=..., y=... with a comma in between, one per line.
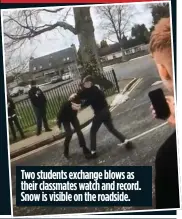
x=69, y=133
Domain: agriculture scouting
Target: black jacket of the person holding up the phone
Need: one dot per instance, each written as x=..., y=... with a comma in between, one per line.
x=166, y=182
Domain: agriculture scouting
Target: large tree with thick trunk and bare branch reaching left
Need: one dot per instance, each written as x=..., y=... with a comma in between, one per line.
x=23, y=26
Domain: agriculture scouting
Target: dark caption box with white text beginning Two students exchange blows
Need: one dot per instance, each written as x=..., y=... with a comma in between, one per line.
x=84, y=186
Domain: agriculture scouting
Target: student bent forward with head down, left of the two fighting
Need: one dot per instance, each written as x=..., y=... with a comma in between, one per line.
x=67, y=116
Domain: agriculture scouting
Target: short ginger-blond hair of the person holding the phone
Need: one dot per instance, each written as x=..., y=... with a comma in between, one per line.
x=161, y=36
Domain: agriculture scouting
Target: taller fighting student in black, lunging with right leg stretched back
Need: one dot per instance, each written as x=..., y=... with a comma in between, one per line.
x=95, y=97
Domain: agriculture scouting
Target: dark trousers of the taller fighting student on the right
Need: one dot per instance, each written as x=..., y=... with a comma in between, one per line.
x=103, y=117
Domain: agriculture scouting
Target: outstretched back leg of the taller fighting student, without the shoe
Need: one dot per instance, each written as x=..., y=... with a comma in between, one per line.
x=109, y=125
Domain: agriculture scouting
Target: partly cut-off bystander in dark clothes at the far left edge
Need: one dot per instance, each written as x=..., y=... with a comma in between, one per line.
x=13, y=119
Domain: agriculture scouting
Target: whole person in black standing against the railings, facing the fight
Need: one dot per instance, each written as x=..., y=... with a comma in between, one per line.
x=39, y=101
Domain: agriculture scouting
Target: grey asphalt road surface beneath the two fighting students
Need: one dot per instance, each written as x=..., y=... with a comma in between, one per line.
x=132, y=118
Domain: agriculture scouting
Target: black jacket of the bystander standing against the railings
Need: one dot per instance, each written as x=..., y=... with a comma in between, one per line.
x=37, y=97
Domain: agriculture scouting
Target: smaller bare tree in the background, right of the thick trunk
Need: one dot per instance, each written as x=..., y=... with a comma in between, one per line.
x=116, y=21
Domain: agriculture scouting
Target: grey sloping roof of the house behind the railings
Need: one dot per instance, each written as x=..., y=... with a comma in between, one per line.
x=52, y=60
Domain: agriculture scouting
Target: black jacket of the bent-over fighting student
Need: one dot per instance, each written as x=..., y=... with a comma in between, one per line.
x=66, y=113
